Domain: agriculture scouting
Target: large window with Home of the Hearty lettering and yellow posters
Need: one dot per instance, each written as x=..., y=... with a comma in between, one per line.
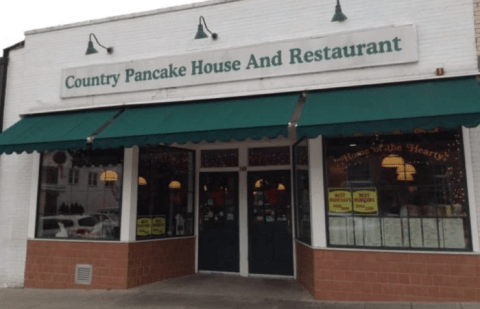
x=403, y=191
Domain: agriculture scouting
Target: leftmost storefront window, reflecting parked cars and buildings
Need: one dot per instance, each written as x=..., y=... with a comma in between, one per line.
x=70, y=204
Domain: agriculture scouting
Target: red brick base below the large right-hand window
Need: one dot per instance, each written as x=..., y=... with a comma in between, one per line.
x=343, y=275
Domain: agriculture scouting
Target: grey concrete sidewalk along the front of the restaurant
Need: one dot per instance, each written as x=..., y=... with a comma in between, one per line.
x=196, y=292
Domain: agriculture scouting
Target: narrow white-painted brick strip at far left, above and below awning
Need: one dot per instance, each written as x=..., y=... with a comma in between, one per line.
x=15, y=184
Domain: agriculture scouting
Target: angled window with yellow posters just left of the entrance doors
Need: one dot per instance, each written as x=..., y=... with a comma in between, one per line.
x=165, y=193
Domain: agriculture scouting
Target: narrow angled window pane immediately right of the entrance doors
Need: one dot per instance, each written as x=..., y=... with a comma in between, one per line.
x=302, y=193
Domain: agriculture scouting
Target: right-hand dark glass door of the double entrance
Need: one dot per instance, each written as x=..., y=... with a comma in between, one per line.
x=270, y=223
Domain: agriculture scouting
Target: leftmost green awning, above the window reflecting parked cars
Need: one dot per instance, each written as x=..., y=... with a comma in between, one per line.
x=53, y=131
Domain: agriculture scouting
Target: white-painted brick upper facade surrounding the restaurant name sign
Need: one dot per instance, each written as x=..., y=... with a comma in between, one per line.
x=445, y=32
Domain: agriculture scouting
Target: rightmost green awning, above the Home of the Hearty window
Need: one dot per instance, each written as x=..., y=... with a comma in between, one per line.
x=445, y=103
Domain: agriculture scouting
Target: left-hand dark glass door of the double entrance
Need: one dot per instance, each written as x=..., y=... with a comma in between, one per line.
x=218, y=222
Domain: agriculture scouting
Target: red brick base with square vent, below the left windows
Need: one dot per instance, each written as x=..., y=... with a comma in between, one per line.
x=51, y=264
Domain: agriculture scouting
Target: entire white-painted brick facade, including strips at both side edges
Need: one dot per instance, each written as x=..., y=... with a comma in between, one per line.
x=446, y=39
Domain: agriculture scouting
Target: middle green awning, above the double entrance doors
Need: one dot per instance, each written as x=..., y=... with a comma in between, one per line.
x=222, y=120
